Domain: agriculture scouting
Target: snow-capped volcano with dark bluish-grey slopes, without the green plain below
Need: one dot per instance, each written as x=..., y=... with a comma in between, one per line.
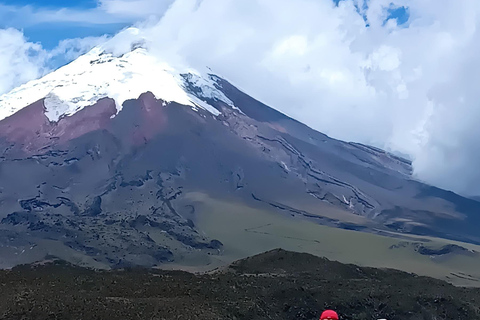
x=98, y=160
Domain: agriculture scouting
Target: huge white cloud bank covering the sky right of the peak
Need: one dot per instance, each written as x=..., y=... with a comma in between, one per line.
x=410, y=89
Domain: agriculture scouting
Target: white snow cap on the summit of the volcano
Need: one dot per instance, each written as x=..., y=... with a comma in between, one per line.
x=99, y=74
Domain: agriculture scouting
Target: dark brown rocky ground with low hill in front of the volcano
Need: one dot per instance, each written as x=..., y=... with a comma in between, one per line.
x=274, y=285
